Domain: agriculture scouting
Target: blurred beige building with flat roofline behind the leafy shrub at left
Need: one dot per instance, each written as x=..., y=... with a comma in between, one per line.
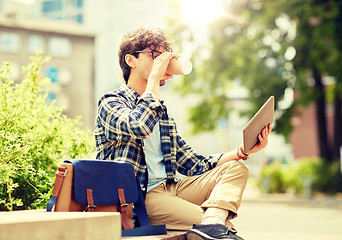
x=71, y=68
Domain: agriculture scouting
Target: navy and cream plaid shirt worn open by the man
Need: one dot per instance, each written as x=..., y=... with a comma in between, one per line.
x=124, y=119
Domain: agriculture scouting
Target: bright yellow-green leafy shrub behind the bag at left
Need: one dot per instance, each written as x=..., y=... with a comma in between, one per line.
x=34, y=137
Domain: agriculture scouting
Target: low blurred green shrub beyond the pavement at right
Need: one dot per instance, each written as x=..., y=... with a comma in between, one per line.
x=303, y=176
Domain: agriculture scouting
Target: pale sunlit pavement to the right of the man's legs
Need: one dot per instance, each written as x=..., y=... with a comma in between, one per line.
x=288, y=217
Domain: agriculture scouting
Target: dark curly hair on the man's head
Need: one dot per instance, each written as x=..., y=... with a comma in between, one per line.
x=139, y=40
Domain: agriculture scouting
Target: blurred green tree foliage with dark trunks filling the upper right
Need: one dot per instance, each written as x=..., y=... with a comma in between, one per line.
x=271, y=47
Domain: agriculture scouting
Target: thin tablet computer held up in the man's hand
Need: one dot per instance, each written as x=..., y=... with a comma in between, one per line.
x=262, y=118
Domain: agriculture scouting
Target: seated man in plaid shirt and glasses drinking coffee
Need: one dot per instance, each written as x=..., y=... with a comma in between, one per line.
x=133, y=126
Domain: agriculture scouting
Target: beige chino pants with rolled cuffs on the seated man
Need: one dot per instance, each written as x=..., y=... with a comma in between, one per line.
x=180, y=205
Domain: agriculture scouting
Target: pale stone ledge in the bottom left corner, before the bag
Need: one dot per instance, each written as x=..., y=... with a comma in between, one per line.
x=39, y=225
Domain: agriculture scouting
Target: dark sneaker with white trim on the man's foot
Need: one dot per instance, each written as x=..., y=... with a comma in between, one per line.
x=212, y=232
